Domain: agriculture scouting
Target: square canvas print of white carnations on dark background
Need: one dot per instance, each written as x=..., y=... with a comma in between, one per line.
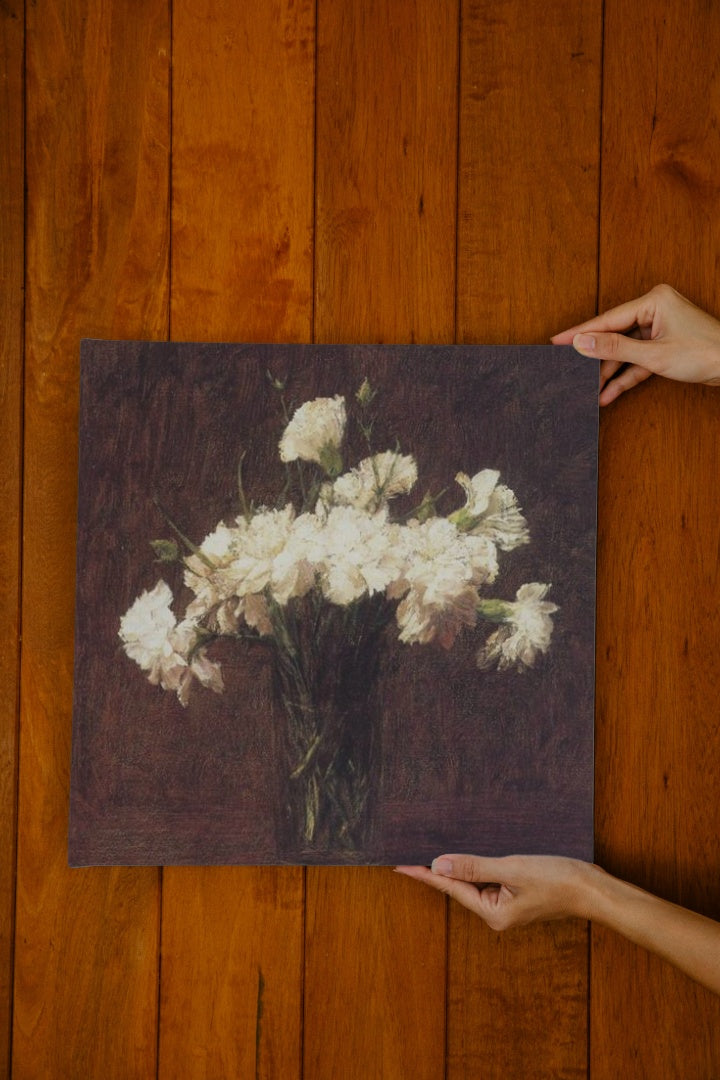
x=335, y=604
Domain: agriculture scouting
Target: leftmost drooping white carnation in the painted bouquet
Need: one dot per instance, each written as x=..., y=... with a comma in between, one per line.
x=165, y=649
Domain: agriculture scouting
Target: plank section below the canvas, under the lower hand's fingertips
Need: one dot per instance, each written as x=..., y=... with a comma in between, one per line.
x=375, y=977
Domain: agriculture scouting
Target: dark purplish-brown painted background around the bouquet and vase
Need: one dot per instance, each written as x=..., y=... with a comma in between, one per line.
x=495, y=762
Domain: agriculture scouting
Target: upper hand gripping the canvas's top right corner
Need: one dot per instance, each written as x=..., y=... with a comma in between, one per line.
x=668, y=336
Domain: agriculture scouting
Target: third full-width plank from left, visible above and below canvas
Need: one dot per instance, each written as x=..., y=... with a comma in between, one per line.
x=385, y=272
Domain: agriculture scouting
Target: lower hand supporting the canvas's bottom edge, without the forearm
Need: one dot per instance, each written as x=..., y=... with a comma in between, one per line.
x=515, y=890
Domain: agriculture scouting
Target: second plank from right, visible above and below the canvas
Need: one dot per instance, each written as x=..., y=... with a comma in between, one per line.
x=527, y=242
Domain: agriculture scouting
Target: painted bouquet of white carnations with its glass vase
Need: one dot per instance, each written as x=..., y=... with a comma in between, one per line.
x=352, y=551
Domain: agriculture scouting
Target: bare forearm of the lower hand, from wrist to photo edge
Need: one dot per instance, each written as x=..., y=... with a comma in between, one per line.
x=685, y=939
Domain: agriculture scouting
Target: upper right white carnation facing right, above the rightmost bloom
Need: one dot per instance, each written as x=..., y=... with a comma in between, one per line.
x=492, y=510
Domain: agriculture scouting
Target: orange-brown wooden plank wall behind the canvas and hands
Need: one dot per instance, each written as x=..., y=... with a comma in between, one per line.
x=376, y=171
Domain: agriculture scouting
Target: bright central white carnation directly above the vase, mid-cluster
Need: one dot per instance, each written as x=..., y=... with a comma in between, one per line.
x=358, y=555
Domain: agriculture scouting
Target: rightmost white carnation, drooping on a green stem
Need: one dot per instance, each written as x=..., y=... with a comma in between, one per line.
x=525, y=632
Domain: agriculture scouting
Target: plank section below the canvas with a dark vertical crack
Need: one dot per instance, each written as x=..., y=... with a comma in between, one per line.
x=233, y=966
